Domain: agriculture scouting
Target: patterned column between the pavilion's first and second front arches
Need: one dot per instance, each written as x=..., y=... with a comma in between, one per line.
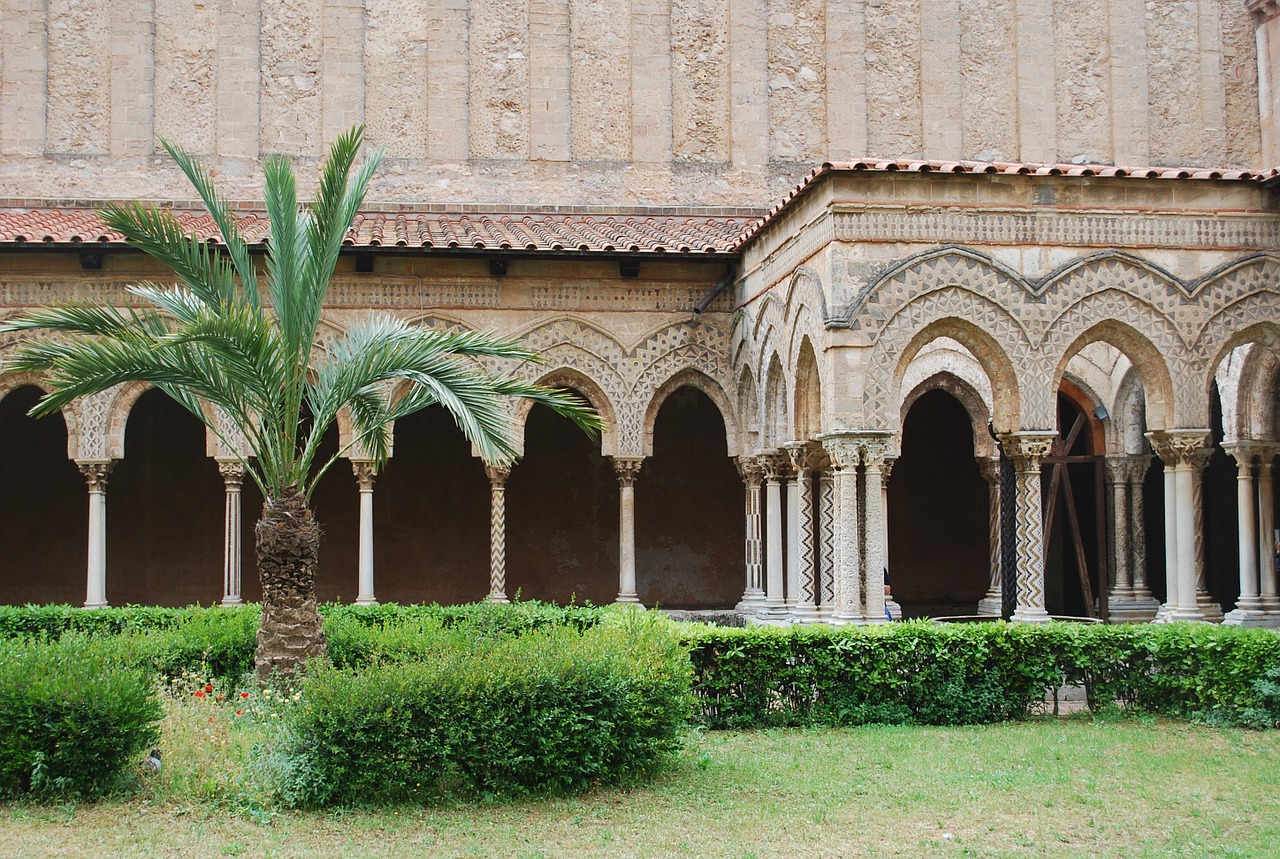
x=1028, y=450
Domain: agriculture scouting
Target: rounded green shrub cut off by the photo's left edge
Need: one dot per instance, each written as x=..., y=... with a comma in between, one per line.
x=74, y=719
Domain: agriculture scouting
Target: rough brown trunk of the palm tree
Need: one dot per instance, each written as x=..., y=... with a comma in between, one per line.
x=287, y=546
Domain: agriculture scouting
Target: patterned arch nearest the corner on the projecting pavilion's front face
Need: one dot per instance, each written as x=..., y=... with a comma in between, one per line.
x=984, y=328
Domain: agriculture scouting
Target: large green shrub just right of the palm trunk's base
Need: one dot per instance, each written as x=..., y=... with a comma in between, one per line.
x=554, y=711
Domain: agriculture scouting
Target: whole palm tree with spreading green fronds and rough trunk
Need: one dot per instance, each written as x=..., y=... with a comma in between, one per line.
x=216, y=340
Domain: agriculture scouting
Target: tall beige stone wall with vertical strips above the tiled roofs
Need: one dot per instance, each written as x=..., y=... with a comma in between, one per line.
x=614, y=102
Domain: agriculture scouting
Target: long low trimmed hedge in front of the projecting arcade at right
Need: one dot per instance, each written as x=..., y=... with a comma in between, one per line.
x=926, y=674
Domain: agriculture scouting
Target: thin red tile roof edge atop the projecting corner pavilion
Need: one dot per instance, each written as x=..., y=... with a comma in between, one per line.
x=1008, y=168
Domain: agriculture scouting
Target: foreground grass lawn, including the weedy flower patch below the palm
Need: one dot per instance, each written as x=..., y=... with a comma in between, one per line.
x=1036, y=789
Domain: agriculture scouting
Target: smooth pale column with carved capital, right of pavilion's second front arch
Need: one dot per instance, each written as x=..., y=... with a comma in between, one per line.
x=1178, y=449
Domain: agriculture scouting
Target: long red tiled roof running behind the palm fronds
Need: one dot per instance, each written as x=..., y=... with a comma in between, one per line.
x=636, y=232
